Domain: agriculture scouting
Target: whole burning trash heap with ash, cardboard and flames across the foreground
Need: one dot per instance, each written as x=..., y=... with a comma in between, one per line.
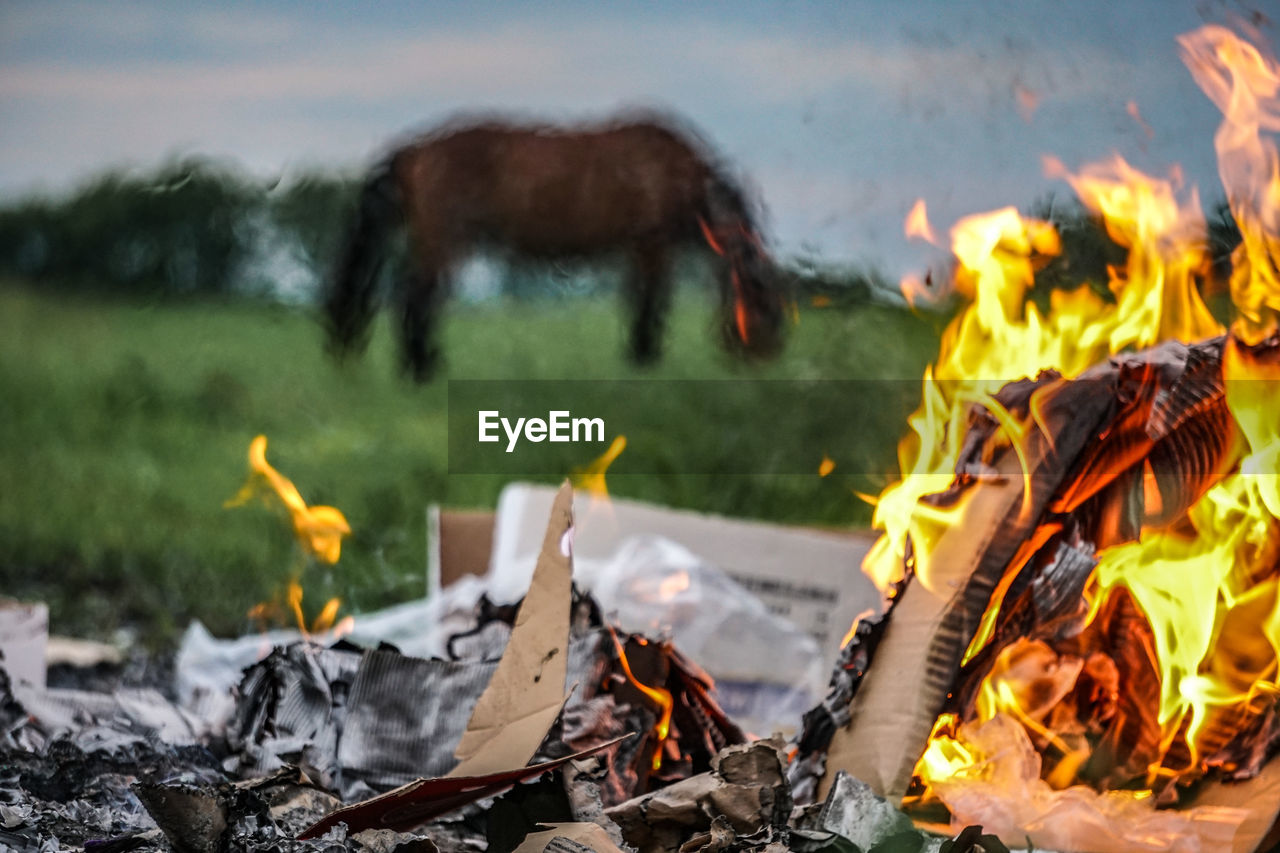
x=1078, y=644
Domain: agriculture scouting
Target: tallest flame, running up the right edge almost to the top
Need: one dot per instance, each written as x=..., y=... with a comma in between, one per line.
x=1212, y=597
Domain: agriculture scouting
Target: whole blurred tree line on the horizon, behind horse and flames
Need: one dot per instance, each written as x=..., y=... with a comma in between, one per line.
x=196, y=226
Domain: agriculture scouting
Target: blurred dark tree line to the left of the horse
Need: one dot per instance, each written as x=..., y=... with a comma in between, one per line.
x=191, y=226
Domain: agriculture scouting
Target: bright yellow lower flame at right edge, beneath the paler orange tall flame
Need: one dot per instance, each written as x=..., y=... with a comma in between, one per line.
x=1212, y=597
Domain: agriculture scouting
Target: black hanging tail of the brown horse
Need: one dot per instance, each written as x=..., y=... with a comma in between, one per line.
x=351, y=302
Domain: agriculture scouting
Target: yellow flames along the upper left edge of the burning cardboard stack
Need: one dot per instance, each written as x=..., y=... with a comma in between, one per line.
x=1002, y=336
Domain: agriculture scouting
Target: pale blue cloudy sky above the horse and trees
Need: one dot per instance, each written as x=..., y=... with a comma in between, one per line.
x=838, y=115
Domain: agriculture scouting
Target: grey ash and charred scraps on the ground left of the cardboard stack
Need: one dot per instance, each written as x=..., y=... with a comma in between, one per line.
x=109, y=763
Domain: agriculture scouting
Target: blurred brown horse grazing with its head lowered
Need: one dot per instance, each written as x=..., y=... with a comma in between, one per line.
x=639, y=186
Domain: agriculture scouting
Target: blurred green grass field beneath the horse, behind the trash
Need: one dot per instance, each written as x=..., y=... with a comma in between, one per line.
x=125, y=427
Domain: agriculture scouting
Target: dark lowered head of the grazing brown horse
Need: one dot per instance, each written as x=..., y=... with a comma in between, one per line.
x=752, y=294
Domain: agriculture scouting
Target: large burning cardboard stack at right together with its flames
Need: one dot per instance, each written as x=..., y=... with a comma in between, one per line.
x=1090, y=555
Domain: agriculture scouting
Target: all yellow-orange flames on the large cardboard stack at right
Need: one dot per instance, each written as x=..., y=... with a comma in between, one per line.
x=1208, y=586
